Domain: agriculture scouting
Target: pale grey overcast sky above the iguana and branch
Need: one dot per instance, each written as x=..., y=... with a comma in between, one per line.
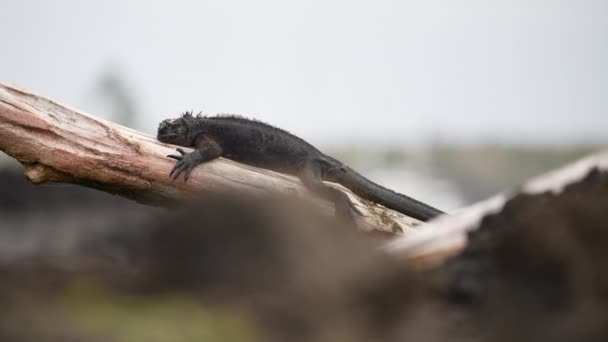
x=330, y=71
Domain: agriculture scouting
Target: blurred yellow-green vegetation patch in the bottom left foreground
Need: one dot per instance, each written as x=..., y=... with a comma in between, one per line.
x=86, y=311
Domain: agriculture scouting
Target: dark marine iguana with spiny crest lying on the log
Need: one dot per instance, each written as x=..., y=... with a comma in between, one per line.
x=258, y=144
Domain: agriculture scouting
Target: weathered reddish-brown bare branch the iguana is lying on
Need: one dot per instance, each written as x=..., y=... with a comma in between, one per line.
x=61, y=144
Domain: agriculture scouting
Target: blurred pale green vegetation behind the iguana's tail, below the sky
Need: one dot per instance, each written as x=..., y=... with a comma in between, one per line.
x=477, y=171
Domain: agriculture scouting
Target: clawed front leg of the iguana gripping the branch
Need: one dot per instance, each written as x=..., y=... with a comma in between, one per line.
x=205, y=151
